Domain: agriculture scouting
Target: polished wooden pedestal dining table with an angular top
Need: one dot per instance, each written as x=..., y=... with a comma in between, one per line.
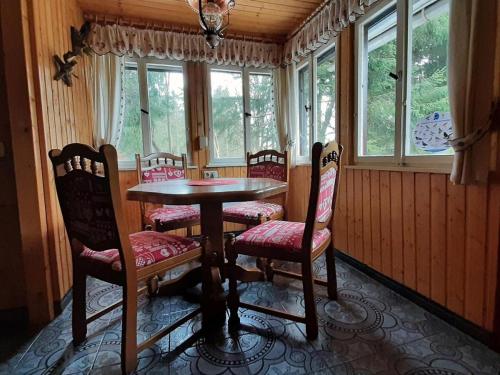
x=210, y=195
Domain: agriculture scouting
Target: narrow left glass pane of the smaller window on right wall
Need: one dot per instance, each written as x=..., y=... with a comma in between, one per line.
x=304, y=111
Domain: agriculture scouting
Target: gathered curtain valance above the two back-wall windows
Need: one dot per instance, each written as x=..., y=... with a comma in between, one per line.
x=130, y=41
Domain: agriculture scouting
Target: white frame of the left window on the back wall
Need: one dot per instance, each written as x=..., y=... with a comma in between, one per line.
x=142, y=72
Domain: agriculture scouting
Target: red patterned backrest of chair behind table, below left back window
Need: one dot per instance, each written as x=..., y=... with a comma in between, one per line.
x=160, y=166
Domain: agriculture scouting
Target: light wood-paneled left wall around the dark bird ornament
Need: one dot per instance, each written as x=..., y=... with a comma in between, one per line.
x=64, y=116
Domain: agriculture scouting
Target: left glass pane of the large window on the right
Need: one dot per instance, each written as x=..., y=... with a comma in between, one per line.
x=377, y=130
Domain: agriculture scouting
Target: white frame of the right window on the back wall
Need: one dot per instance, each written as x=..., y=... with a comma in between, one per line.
x=245, y=78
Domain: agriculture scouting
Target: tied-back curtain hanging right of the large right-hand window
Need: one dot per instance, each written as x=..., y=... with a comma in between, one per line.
x=471, y=77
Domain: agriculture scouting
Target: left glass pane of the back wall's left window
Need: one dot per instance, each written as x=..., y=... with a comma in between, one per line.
x=130, y=141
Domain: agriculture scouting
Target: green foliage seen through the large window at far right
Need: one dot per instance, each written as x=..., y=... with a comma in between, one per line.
x=429, y=91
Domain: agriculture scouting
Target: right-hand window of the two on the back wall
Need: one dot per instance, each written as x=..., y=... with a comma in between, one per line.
x=242, y=113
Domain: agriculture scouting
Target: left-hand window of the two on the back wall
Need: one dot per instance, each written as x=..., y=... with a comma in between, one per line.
x=154, y=111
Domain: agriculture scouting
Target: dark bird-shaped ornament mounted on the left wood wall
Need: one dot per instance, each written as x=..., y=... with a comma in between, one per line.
x=79, y=47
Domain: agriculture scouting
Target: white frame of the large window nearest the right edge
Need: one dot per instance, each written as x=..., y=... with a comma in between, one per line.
x=404, y=17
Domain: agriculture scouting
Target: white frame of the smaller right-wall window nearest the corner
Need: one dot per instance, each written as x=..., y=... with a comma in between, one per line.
x=312, y=62
